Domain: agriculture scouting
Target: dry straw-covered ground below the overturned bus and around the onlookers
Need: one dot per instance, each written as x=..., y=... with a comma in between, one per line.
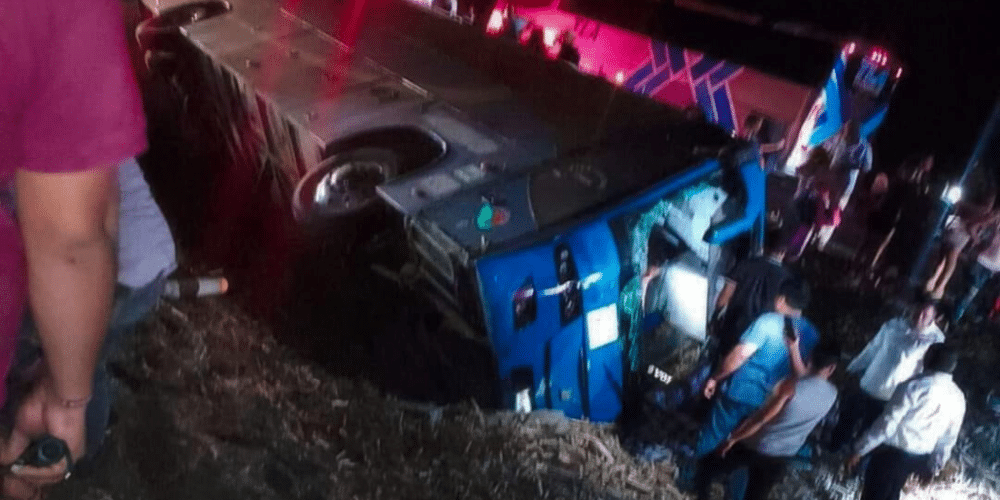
x=213, y=407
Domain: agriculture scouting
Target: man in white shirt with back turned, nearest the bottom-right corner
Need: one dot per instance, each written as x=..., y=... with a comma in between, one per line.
x=917, y=430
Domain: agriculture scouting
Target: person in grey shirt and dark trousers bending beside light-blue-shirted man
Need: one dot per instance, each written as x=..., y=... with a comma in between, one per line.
x=766, y=440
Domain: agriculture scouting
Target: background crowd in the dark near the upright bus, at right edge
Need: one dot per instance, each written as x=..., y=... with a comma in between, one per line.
x=893, y=216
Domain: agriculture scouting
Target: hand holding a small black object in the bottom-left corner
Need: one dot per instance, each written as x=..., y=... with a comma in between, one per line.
x=42, y=412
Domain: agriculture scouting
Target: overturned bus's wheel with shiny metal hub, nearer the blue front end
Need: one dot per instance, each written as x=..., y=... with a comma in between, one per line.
x=343, y=186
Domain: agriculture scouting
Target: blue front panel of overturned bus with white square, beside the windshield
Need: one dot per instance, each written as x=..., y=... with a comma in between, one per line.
x=567, y=335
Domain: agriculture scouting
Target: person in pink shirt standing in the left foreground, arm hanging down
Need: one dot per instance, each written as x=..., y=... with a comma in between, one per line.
x=69, y=113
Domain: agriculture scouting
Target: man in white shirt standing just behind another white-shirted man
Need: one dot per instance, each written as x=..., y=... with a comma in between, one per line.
x=892, y=357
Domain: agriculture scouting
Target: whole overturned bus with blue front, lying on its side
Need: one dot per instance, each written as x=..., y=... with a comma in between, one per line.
x=558, y=232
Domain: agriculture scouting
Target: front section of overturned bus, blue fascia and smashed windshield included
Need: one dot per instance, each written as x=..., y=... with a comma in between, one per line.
x=567, y=266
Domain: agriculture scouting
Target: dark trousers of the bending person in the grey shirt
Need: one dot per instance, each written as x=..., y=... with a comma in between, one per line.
x=763, y=471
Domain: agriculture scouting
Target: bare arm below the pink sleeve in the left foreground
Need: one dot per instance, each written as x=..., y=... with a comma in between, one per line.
x=69, y=223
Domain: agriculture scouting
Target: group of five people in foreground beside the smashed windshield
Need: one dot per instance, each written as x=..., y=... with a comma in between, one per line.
x=770, y=388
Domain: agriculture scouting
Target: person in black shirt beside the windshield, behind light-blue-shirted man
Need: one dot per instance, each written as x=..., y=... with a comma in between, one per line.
x=750, y=290
